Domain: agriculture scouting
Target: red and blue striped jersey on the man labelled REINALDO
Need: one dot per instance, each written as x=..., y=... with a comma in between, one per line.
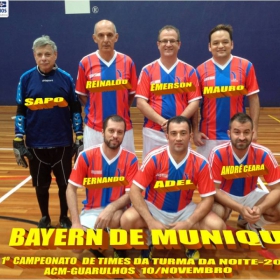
x=100, y=105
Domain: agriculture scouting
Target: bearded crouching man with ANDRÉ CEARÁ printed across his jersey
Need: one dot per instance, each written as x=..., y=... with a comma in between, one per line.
x=238, y=190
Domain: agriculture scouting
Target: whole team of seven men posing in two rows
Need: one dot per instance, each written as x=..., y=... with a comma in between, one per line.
x=81, y=128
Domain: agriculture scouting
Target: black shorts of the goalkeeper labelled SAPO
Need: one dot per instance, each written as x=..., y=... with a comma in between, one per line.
x=58, y=160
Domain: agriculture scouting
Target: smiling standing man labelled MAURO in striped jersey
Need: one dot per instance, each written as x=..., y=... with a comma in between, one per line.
x=217, y=74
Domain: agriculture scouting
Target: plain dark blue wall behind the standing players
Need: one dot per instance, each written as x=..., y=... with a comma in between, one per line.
x=256, y=36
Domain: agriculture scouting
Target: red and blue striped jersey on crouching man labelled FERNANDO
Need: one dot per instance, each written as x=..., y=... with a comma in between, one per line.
x=92, y=163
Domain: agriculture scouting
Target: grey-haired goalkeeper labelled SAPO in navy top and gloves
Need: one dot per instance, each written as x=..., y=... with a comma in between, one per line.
x=47, y=107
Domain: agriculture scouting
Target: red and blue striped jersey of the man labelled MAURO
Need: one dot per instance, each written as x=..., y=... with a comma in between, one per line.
x=217, y=112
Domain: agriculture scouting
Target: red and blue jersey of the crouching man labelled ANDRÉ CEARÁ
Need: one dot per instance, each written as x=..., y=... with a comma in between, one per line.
x=223, y=155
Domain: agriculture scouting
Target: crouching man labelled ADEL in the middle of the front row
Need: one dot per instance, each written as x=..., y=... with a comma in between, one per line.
x=173, y=209
